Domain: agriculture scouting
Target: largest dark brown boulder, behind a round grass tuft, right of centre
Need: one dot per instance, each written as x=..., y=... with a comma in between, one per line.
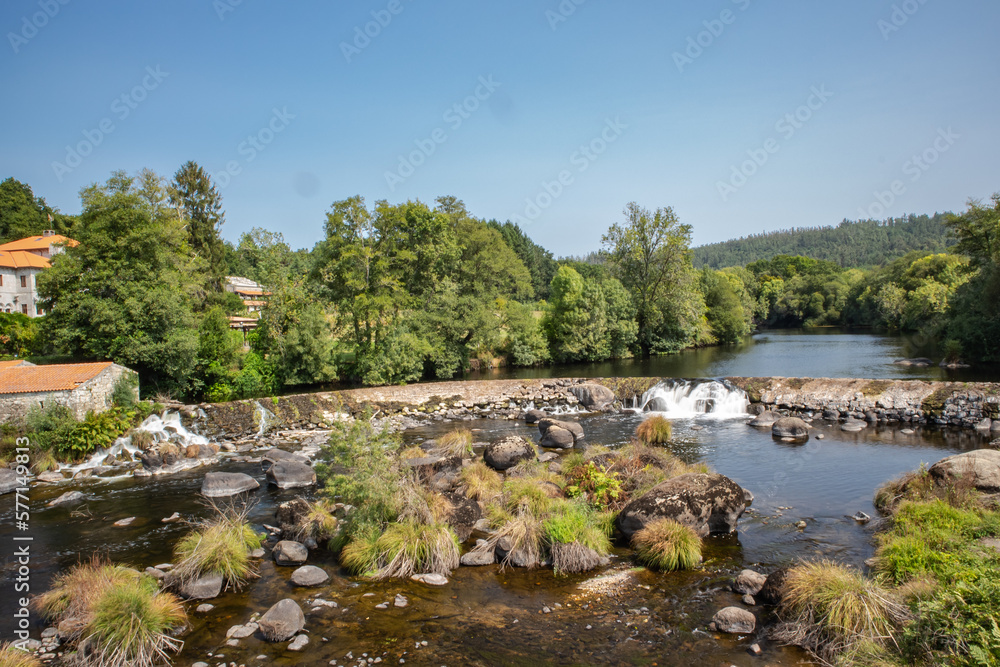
x=708, y=503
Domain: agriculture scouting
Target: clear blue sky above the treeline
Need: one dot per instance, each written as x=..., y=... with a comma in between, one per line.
x=291, y=106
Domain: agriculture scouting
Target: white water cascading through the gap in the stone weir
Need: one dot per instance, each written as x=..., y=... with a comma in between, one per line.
x=688, y=398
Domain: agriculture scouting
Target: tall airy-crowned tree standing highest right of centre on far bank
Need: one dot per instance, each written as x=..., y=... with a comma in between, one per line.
x=650, y=255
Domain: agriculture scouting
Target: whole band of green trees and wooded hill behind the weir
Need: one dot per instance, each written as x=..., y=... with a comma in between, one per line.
x=397, y=293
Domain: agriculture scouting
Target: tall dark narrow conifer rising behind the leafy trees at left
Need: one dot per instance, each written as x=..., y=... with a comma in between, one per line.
x=199, y=204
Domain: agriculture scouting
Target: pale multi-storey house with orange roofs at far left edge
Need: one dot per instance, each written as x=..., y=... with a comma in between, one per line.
x=20, y=262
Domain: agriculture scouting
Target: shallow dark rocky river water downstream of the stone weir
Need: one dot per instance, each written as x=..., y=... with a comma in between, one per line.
x=487, y=617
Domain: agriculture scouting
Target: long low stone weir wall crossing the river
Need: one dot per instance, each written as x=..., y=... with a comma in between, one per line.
x=913, y=401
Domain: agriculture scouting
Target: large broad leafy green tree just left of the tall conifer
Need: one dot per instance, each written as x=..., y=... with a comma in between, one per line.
x=126, y=292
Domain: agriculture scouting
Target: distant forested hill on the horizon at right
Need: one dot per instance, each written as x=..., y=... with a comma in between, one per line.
x=850, y=244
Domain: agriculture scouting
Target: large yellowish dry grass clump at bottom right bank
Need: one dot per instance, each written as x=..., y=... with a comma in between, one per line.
x=834, y=611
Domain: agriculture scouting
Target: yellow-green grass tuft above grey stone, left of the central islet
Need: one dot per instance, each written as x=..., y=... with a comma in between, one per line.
x=219, y=546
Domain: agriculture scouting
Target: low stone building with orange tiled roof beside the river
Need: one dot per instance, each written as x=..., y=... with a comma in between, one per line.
x=80, y=387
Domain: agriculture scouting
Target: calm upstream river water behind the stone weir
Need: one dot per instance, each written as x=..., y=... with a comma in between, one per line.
x=818, y=352
